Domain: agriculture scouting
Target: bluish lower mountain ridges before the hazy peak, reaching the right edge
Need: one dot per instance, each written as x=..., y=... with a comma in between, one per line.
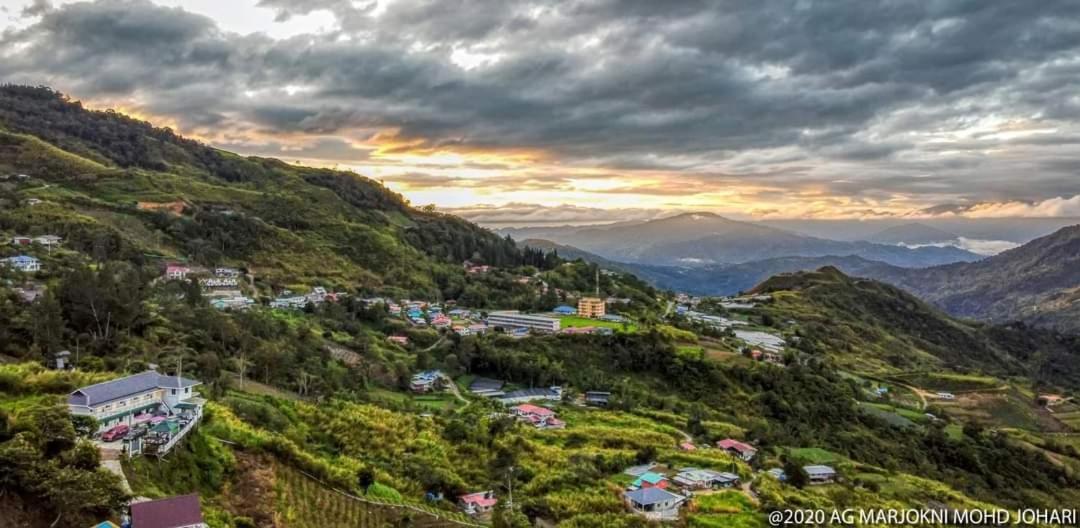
x=1037, y=283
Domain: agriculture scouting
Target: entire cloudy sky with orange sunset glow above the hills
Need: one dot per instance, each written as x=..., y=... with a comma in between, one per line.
x=602, y=110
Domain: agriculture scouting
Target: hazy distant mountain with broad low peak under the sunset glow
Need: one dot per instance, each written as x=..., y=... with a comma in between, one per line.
x=706, y=239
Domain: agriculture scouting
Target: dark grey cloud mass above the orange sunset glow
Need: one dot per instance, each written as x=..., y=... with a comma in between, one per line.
x=856, y=87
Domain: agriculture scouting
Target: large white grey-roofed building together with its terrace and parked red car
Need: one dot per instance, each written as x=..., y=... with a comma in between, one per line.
x=148, y=413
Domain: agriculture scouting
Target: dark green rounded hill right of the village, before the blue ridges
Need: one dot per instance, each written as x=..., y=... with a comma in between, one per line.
x=893, y=330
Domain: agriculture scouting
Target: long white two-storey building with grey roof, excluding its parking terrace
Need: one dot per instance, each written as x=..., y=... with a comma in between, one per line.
x=136, y=399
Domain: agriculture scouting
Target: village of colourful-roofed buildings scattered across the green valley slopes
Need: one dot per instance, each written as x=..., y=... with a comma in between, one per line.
x=151, y=414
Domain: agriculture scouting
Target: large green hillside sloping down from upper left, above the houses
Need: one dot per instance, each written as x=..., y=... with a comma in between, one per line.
x=104, y=174
